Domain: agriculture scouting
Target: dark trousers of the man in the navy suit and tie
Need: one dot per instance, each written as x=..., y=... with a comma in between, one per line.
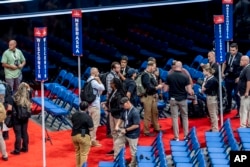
x=230, y=86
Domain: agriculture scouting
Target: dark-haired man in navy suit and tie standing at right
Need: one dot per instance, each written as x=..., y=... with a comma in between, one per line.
x=230, y=72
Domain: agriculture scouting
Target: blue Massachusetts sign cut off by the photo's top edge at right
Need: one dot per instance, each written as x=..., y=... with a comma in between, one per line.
x=227, y=9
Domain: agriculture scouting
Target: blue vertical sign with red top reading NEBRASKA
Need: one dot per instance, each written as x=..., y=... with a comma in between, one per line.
x=77, y=32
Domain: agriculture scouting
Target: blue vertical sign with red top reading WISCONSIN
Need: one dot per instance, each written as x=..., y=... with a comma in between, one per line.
x=41, y=63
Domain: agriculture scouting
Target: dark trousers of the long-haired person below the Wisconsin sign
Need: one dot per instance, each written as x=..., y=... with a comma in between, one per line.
x=22, y=137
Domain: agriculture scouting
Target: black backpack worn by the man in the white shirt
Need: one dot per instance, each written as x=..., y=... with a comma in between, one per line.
x=87, y=93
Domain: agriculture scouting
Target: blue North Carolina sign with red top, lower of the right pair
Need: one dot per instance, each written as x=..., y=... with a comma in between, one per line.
x=219, y=38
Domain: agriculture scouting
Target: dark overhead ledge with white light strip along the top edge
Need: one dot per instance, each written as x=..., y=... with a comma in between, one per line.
x=15, y=9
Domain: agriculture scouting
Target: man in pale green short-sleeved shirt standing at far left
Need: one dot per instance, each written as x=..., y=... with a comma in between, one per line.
x=13, y=61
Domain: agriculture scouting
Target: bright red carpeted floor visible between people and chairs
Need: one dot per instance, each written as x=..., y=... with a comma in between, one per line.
x=61, y=153
